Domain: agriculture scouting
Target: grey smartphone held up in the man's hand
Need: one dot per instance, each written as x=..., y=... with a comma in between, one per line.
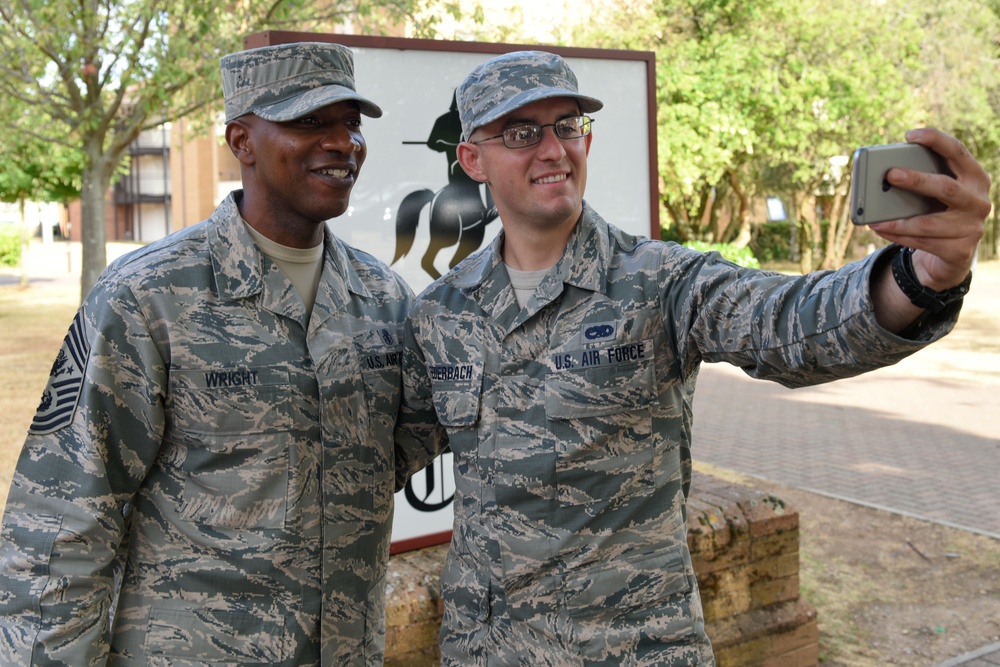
x=874, y=200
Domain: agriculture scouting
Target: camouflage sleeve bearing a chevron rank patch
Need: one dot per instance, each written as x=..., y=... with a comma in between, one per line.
x=93, y=439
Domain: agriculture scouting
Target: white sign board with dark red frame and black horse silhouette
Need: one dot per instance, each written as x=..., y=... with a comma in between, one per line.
x=415, y=209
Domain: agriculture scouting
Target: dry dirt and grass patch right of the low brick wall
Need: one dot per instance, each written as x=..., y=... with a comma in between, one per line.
x=890, y=589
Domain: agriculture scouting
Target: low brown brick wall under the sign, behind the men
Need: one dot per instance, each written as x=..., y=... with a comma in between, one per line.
x=745, y=548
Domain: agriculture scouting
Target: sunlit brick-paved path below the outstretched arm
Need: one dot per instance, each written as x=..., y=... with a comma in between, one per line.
x=921, y=438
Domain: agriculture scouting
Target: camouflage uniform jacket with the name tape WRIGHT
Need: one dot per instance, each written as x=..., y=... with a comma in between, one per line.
x=235, y=459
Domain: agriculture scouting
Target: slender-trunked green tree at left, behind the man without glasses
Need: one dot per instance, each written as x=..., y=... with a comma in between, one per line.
x=101, y=71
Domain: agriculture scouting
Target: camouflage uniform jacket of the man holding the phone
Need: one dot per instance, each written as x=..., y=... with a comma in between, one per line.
x=570, y=424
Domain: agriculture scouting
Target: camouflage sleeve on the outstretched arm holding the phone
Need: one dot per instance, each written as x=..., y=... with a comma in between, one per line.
x=794, y=330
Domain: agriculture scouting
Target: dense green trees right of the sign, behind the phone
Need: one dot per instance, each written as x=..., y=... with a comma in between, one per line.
x=771, y=97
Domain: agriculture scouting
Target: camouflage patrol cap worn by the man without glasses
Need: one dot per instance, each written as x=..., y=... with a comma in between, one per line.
x=287, y=81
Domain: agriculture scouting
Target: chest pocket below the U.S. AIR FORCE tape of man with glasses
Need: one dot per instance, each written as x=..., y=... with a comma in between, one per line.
x=600, y=421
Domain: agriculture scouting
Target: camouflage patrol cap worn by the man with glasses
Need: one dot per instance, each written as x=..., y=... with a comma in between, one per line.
x=508, y=82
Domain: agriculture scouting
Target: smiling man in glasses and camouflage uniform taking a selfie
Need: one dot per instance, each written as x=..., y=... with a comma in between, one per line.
x=559, y=365
